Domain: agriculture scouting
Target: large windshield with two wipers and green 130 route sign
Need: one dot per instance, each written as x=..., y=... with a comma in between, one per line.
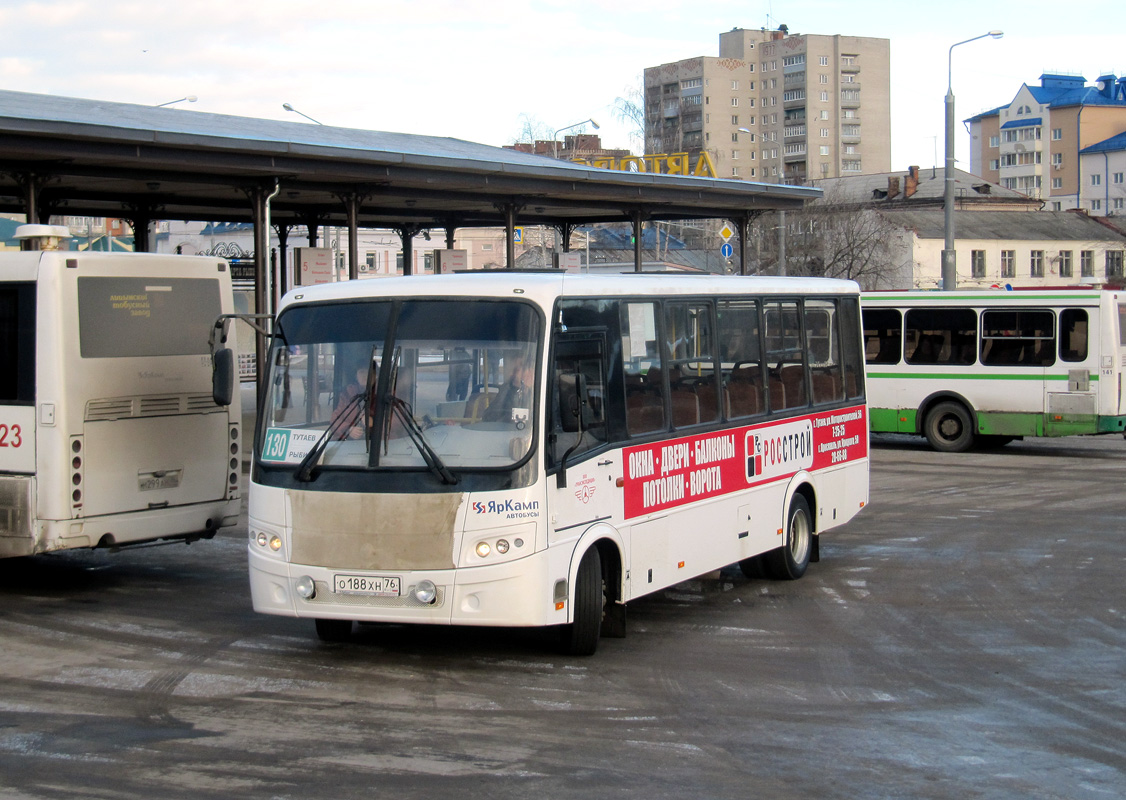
x=440, y=385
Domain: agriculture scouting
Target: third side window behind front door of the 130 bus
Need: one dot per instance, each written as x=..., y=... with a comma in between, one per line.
x=740, y=359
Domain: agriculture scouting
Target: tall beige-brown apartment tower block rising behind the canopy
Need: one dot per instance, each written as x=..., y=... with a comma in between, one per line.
x=776, y=106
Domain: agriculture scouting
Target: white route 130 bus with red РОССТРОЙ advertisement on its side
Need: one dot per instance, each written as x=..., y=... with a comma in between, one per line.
x=533, y=450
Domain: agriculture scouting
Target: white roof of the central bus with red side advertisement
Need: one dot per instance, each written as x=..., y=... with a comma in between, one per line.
x=548, y=286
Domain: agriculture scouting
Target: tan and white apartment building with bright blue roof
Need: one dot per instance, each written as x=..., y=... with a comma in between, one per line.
x=1033, y=145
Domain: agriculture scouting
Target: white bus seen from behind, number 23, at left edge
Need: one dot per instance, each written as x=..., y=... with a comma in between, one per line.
x=109, y=433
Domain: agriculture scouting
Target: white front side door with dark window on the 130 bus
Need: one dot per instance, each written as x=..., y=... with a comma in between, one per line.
x=584, y=488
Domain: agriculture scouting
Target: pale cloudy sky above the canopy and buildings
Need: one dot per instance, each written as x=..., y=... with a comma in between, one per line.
x=477, y=70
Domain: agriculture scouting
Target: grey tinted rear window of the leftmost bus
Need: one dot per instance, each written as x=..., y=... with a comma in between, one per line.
x=126, y=317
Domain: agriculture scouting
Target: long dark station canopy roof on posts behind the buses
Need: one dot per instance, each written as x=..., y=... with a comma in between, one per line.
x=90, y=158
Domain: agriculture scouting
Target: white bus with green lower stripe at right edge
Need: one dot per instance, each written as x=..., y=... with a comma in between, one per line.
x=973, y=367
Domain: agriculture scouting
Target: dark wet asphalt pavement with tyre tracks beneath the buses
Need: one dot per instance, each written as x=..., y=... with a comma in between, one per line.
x=964, y=637
